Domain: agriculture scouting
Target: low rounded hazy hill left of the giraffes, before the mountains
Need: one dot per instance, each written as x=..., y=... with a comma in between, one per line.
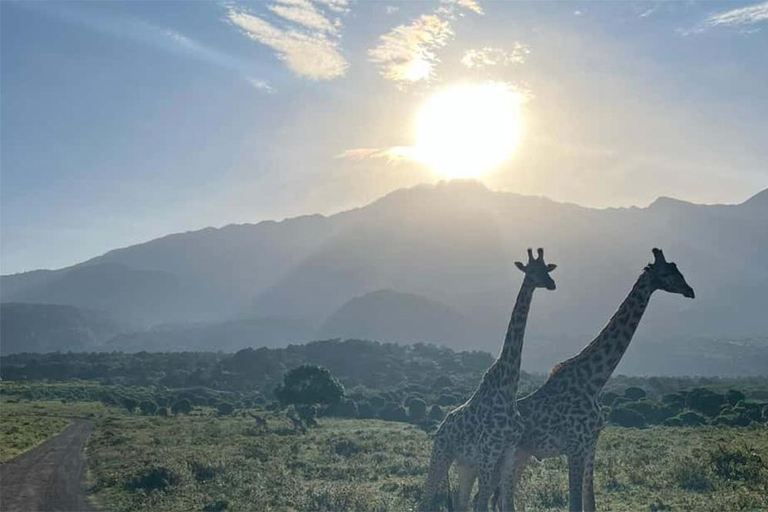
x=389, y=316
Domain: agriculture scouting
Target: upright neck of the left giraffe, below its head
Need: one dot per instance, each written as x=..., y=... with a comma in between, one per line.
x=509, y=358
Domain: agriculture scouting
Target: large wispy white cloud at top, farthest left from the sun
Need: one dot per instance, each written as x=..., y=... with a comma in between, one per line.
x=307, y=42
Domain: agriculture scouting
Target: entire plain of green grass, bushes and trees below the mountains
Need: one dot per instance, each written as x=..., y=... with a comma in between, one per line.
x=345, y=425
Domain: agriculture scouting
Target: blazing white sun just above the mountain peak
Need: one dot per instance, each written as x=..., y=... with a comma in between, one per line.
x=466, y=131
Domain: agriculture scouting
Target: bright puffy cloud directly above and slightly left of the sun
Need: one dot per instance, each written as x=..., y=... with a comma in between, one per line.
x=407, y=53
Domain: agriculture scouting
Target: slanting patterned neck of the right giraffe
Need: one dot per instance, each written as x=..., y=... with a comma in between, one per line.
x=600, y=358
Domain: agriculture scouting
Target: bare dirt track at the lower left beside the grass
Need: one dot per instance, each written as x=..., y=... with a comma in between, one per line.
x=49, y=477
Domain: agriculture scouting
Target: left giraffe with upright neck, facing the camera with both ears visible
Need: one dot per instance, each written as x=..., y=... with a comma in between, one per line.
x=476, y=433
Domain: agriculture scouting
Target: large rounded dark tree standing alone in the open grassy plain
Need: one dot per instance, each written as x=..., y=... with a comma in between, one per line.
x=309, y=385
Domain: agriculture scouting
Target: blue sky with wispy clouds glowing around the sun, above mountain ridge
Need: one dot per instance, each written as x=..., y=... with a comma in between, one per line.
x=124, y=121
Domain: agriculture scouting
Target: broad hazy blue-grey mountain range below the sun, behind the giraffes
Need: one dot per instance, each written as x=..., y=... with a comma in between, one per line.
x=453, y=244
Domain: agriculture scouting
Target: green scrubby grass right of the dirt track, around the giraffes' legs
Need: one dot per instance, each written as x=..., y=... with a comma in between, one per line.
x=202, y=462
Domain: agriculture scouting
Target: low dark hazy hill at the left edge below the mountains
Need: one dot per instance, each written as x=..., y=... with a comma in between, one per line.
x=48, y=328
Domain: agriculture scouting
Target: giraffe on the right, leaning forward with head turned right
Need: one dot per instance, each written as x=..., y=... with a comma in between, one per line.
x=563, y=416
